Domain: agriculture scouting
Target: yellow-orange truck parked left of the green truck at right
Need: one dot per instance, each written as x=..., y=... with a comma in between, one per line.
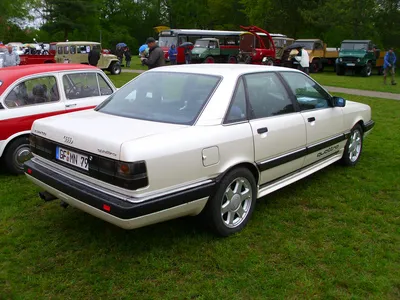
x=320, y=55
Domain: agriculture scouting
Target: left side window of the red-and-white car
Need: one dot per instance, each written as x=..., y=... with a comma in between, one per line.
x=39, y=90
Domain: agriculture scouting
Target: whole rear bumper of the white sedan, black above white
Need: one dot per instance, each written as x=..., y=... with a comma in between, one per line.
x=122, y=213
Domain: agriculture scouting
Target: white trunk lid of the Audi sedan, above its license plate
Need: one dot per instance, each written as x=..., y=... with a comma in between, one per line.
x=97, y=132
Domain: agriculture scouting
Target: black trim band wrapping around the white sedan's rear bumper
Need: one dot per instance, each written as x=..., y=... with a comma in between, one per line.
x=118, y=208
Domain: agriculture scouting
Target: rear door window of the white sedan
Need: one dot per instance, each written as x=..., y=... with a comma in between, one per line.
x=267, y=95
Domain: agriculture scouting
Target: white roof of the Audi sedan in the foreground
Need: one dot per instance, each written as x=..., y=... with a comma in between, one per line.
x=225, y=70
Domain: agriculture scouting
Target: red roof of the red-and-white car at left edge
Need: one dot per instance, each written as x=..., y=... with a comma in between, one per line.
x=10, y=74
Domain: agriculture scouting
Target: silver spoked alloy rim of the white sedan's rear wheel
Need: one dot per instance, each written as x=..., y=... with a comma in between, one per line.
x=236, y=202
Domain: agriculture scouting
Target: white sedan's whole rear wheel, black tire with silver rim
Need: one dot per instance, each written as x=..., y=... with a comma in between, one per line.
x=236, y=195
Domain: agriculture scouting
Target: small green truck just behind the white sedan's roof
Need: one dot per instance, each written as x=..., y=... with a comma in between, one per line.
x=208, y=50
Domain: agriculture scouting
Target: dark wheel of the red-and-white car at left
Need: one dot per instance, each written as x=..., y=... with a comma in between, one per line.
x=17, y=152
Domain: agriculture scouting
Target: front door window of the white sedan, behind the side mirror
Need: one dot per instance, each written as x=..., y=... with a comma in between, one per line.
x=308, y=93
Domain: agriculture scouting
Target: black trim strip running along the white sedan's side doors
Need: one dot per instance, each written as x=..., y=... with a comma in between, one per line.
x=263, y=166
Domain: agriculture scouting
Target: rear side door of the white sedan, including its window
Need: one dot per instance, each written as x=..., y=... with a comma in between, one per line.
x=278, y=130
